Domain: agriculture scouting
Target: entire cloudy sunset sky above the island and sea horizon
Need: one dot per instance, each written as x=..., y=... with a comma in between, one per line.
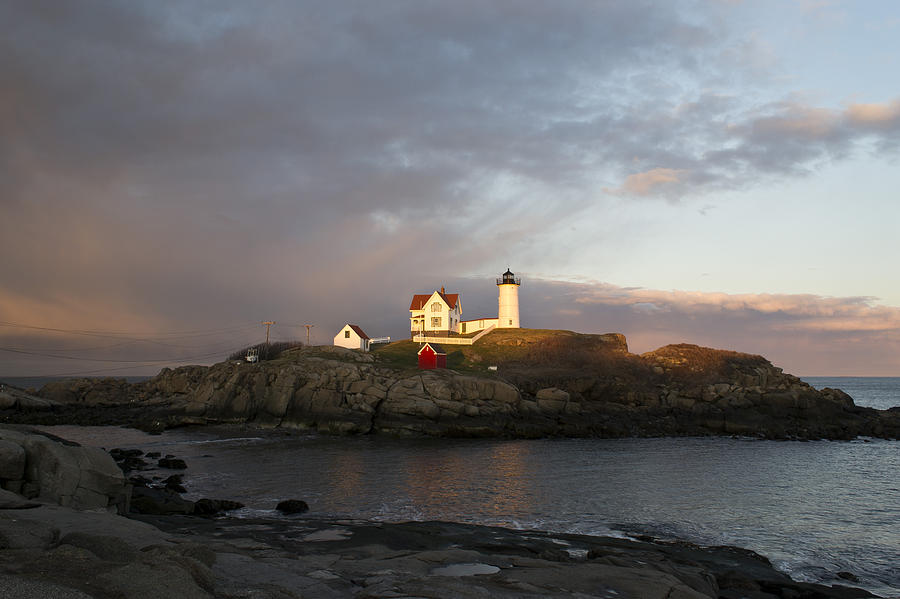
x=717, y=172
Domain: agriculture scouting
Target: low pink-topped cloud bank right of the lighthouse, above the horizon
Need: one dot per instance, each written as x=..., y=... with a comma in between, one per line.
x=805, y=334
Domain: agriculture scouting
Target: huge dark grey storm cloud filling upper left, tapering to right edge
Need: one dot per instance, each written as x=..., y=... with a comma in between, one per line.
x=171, y=163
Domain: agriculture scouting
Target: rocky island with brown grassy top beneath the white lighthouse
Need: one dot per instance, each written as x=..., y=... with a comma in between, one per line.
x=546, y=383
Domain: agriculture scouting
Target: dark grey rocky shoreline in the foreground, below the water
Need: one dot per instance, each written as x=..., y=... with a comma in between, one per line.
x=65, y=533
